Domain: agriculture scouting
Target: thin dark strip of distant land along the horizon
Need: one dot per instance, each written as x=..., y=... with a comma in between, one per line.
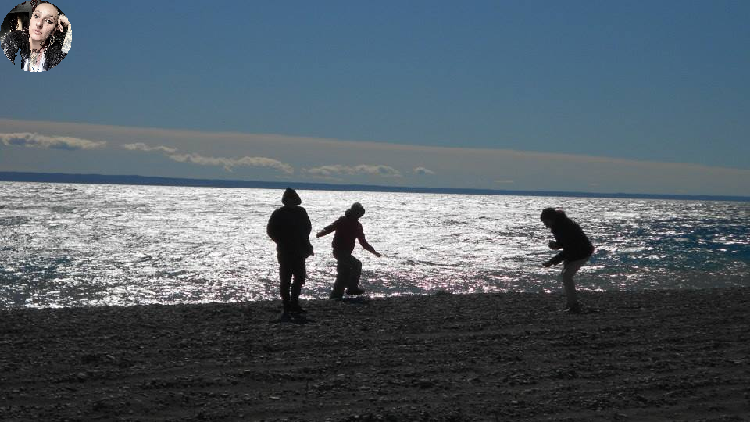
x=100, y=179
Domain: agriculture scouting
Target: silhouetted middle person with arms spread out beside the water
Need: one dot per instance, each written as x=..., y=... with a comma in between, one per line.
x=349, y=268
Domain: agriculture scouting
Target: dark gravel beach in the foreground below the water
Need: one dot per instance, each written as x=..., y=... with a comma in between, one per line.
x=630, y=356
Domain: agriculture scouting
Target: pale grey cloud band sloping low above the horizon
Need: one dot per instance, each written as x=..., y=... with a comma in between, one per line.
x=177, y=153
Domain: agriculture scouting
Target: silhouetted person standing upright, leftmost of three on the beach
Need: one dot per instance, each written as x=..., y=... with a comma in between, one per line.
x=289, y=226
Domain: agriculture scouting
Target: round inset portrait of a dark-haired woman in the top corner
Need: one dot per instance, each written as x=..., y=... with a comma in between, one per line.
x=39, y=33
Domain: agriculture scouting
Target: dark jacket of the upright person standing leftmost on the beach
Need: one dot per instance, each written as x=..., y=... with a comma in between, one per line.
x=289, y=226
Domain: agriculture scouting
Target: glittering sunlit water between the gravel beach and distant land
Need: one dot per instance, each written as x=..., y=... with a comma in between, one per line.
x=78, y=245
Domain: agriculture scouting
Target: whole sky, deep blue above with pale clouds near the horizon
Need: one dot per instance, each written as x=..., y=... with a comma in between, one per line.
x=531, y=86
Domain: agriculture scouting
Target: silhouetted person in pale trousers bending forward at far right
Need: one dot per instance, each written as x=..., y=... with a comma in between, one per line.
x=576, y=250
